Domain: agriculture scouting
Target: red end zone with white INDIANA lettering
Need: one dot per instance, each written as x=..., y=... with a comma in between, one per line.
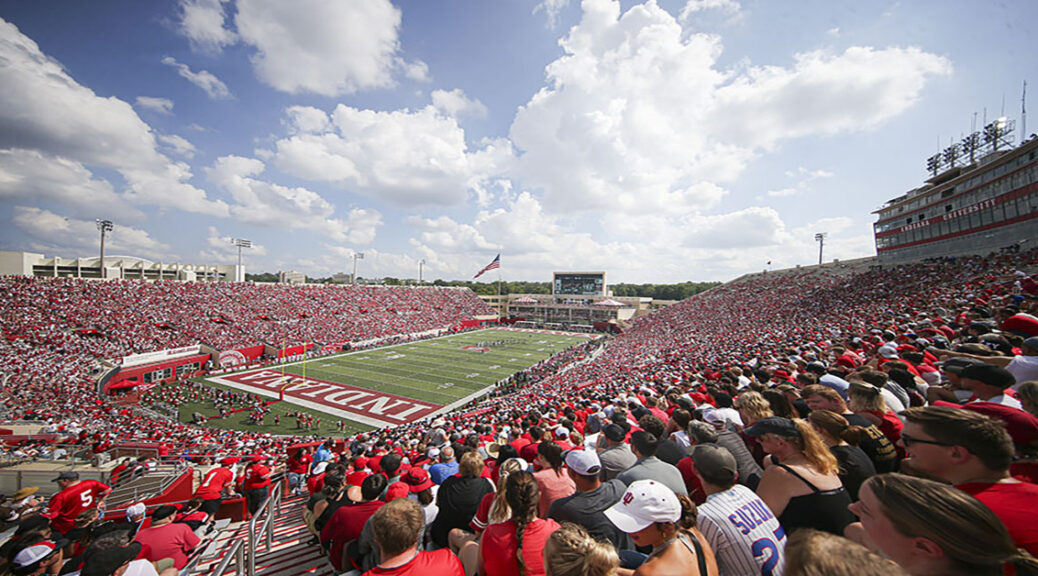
x=348, y=402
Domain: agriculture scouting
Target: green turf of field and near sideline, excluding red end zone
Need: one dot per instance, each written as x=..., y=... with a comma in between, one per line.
x=438, y=371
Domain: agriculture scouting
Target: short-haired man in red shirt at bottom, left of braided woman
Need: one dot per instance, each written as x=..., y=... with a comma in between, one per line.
x=397, y=529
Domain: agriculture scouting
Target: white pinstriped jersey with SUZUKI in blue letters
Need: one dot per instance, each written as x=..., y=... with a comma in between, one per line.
x=746, y=536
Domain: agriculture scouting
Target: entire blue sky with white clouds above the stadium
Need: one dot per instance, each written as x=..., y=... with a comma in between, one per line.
x=661, y=142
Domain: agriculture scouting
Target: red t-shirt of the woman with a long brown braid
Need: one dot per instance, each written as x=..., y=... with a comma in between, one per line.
x=500, y=547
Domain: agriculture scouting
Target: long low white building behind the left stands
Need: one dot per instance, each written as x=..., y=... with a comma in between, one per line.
x=30, y=264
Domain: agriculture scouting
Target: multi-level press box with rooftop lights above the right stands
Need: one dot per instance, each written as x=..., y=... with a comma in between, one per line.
x=976, y=205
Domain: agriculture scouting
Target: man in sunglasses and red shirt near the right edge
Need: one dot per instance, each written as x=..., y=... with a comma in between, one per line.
x=973, y=452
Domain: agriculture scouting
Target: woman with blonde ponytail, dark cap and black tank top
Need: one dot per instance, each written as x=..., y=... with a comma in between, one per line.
x=802, y=483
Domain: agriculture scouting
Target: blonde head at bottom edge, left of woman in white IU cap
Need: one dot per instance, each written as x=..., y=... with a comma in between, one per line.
x=571, y=552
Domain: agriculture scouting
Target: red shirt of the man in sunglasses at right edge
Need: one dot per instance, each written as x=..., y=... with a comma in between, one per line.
x=1015, y=504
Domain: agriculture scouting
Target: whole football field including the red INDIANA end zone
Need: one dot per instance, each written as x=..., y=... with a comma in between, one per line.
x=402, y=383
